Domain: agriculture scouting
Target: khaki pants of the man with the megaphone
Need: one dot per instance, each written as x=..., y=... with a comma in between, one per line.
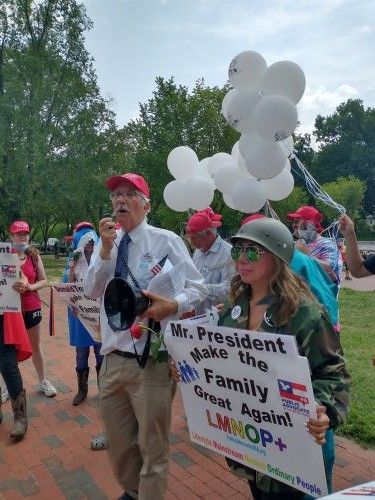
x=135, y=405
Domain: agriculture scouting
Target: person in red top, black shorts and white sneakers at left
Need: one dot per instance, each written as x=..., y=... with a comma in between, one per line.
x=33, y=270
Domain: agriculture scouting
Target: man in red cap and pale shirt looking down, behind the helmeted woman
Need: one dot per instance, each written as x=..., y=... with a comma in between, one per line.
x=211, y=257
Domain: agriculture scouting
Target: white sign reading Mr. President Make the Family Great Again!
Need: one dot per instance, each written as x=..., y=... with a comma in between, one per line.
x=247, y=395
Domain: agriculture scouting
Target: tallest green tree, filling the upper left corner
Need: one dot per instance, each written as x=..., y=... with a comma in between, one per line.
x=57, y=136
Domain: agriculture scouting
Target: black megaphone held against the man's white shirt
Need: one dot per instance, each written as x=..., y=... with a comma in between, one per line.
x=122, y=304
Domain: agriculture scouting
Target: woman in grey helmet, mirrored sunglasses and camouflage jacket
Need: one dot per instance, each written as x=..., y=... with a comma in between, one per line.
x=271, y=298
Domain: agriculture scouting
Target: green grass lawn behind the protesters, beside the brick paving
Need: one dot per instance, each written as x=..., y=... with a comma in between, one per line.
x=357, y=310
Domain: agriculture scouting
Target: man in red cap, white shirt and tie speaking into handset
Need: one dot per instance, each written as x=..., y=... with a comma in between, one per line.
x=135, y=403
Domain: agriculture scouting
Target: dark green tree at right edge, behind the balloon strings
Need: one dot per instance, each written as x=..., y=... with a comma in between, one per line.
x=347, y=147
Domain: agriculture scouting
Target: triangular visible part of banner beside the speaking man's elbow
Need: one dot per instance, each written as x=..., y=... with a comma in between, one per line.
x=84, y=307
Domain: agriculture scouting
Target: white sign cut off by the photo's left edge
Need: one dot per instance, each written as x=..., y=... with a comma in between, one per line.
x=10, y=300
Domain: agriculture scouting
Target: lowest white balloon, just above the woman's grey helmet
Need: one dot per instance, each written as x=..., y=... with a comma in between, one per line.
x=248, y=196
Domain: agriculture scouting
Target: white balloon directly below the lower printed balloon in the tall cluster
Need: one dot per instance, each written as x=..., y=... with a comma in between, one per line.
x=263, y=159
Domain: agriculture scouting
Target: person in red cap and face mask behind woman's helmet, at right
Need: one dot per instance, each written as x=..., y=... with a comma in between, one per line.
x=306, y=229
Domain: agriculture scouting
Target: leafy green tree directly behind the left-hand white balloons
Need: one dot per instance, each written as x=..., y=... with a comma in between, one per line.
x=171, y=118
